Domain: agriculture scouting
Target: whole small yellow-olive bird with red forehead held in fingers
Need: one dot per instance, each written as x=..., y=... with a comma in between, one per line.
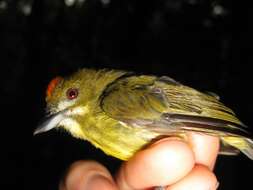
x=121, y=112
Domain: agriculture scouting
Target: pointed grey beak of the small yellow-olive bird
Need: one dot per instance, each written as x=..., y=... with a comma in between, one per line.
x=49, y=122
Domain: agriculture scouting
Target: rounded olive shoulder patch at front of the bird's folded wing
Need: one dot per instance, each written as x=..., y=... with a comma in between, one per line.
x=133, y=98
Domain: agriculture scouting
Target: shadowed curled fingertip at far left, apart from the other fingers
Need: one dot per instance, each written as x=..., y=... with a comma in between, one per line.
x=88, y=175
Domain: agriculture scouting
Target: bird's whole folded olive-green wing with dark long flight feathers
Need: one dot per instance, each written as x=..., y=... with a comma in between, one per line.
x=162, y=102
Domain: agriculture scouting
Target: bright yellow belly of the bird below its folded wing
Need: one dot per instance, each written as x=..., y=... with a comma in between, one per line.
x=122, y=141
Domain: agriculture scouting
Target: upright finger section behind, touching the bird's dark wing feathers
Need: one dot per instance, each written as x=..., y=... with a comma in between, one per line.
x=205, y=148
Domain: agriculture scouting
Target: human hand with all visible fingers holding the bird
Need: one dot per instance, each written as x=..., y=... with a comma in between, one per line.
x=170, y=162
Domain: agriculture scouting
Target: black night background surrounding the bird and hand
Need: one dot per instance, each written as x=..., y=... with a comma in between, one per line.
x=202, y=43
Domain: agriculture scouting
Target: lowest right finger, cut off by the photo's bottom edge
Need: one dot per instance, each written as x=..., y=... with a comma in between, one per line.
x=200, y=178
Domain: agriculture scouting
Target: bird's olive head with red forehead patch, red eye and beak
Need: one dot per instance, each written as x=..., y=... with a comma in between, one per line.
x=68, y=100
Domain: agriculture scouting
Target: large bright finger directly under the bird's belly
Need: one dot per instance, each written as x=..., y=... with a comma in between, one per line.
x=163, y=163
